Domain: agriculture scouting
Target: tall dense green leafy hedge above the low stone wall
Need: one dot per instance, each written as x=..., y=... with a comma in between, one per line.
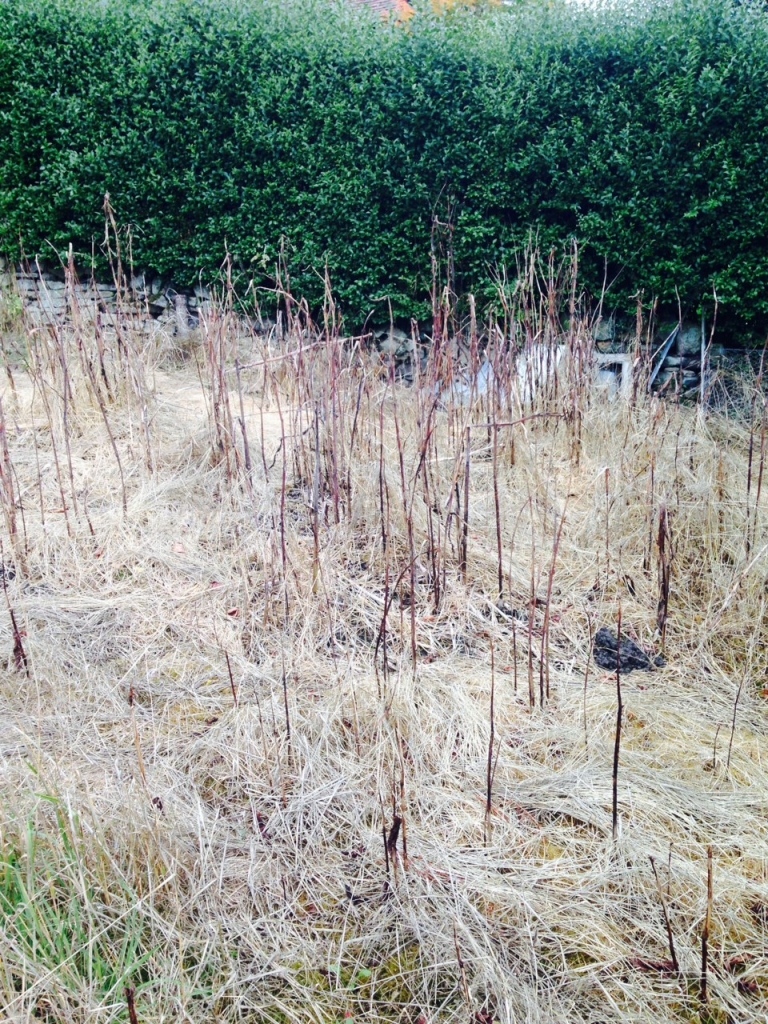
x=244, y=126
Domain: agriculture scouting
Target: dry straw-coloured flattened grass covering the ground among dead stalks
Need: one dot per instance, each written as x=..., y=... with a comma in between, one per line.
x=228, y=849
